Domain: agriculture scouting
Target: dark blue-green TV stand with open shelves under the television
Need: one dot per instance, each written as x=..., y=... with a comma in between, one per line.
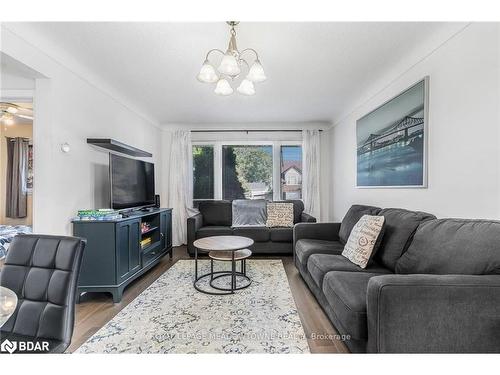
x=117, y=253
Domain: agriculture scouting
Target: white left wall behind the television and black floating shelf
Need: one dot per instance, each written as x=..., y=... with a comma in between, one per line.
x=68, y=108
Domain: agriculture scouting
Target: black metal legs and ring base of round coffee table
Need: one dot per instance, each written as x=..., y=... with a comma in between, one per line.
x=214, y=275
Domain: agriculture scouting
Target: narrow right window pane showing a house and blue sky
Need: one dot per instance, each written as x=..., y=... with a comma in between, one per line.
x=291, y=172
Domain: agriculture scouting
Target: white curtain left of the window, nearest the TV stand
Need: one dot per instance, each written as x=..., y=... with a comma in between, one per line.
x=180, y=185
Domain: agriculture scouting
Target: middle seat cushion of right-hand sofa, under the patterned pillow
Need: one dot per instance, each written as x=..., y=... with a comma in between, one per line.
x=319, y=265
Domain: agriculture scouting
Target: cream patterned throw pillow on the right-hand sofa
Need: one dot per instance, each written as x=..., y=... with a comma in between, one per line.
x=364, y=240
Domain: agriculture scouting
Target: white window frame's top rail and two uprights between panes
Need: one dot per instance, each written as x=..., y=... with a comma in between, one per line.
x=276, y=145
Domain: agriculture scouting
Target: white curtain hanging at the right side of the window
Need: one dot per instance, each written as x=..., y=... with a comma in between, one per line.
x=310, y=183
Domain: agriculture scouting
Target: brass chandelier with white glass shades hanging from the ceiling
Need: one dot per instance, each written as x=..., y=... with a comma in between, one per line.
x=231, y=67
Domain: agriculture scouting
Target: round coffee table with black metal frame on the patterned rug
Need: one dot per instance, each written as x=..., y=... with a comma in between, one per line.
x=220, y=248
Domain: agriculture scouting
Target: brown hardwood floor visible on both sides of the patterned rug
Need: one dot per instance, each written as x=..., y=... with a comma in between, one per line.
x=96, y=309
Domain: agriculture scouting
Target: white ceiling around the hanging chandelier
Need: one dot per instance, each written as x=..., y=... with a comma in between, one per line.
x=316, y=71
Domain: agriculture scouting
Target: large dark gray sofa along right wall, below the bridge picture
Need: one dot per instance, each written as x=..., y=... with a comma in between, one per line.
x=433, y=286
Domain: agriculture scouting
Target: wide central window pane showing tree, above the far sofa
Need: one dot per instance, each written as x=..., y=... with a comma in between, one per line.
x=247, y=172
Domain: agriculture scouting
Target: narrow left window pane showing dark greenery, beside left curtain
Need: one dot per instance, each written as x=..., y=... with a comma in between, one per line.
x=203, y=172
